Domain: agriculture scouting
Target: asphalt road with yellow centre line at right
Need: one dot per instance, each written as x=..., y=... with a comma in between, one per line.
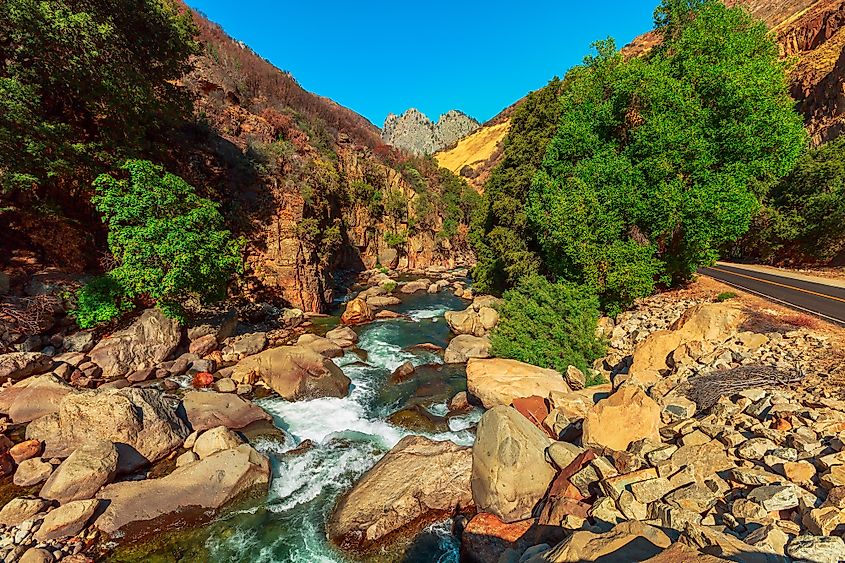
x=824, y=301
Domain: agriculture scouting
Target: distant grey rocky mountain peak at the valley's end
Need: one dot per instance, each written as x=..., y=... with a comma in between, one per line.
x=414, y=132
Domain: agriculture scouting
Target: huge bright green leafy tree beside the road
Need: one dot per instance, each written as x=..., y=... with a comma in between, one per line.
x=656, y=160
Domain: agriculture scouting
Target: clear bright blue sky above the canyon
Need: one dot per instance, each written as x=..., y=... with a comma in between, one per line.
x=378, y=57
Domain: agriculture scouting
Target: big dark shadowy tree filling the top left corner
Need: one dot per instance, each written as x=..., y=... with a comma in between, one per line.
x=83, y=84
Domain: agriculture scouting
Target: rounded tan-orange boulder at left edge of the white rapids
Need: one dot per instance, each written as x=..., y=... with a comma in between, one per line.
x=294, y=372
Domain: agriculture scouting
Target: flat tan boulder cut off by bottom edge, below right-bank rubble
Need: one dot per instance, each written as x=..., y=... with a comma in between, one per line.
x=627, y=541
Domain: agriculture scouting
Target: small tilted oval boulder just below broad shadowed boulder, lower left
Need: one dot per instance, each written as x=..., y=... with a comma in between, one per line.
x=81, y=475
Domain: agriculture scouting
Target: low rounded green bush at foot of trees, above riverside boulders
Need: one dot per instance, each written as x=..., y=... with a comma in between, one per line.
x=547, y=324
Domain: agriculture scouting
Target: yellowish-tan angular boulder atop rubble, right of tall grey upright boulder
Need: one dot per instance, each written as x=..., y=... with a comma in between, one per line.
x=626, y=416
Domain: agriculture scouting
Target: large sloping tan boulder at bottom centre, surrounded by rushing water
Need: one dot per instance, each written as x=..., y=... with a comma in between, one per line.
x=386, y=501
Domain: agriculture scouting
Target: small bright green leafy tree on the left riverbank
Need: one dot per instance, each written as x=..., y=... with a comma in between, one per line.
x=170, y=244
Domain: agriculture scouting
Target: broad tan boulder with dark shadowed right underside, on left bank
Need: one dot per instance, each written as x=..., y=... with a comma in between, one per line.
x=140, y=422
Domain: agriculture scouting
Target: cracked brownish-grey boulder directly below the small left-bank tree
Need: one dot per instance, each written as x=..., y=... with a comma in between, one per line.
x=150, y=339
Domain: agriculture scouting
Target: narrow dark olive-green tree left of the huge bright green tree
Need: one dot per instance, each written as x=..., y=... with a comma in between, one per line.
x=500, y=236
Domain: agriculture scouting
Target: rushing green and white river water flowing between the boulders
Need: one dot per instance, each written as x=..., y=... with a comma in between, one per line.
x=349, y=436
